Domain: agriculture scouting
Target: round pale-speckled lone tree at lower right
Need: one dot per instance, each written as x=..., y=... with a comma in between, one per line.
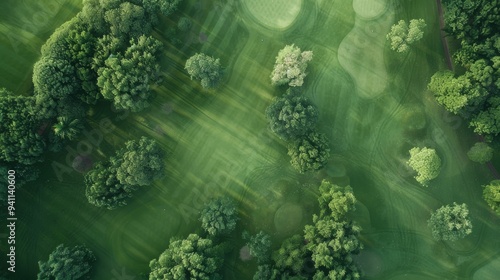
x=450, y=222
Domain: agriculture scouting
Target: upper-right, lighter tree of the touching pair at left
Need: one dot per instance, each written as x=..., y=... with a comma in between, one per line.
x=140, y=163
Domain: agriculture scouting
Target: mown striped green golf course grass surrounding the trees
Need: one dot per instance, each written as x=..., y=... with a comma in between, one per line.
x=373, y=106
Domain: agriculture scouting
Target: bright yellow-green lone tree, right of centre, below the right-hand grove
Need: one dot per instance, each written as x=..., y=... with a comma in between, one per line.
x=426, y=163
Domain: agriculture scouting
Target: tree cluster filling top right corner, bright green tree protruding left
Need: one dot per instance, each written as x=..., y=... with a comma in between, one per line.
x=471, y=92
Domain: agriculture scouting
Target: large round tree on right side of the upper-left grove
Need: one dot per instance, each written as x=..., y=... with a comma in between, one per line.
x=126, y=77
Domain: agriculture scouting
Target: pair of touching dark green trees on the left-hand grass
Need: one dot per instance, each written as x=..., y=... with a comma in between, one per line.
x=111, y=183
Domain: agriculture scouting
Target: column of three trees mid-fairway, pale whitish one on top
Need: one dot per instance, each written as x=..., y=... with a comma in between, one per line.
x=293, y=117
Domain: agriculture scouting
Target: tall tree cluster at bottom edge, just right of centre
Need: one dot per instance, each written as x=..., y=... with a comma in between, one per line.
x=325, y=250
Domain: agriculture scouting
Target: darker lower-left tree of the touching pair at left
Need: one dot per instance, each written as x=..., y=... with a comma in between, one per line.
x=103, y=189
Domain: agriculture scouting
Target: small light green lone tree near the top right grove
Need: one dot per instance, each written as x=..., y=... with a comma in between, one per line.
x=403, y=36
